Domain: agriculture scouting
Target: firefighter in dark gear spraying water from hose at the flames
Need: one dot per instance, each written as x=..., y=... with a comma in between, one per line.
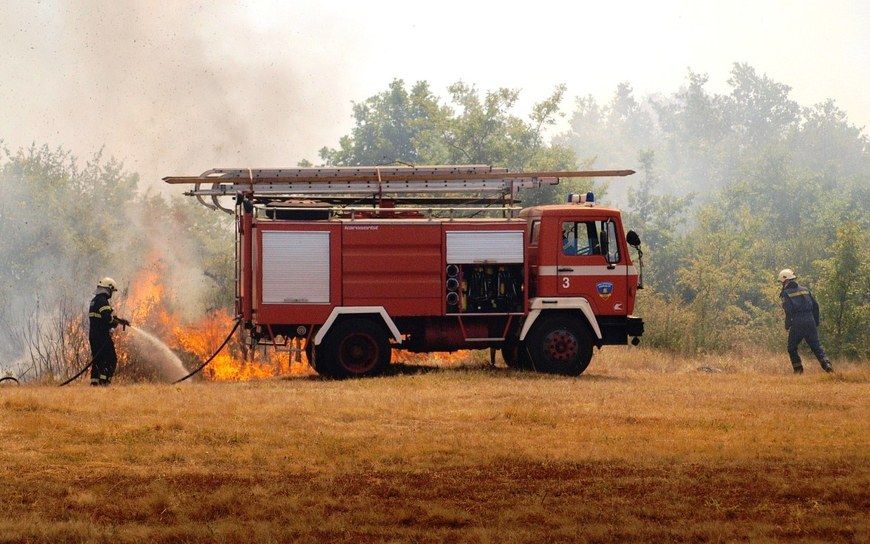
x=102, y=321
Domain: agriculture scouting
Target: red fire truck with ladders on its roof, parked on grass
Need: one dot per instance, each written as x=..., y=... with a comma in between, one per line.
x=358, y=261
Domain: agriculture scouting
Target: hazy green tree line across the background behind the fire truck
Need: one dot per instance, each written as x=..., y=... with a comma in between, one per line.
x=730, y=188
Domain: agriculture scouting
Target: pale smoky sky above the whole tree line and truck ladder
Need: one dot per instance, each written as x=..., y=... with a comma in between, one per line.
x=176, y=88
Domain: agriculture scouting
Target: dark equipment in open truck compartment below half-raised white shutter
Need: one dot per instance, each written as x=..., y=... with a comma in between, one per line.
x=490, y=288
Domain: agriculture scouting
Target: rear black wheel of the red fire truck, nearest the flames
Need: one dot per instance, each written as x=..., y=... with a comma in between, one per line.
x=354, y=348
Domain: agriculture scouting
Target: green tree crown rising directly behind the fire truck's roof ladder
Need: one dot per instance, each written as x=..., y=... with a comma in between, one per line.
x=417, y=127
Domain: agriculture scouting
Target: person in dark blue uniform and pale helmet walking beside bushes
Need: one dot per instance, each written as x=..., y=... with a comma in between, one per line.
x=801, y=321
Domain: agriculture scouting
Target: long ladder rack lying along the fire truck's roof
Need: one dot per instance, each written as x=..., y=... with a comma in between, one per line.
x=480, y=184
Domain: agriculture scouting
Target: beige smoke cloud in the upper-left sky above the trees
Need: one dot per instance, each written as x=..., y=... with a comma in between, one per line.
x=171, y=87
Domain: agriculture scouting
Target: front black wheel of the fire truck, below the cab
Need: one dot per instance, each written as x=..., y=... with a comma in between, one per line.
x=560, y=345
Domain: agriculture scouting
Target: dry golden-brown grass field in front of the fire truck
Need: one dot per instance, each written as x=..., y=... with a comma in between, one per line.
x=643, y=447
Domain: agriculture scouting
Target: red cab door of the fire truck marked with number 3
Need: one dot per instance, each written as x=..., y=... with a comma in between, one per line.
x=582, y=264
